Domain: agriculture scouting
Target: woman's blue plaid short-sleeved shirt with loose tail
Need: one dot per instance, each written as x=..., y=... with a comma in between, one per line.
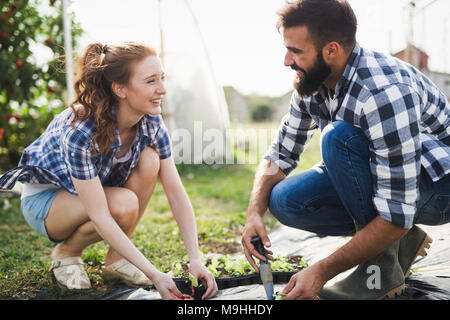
x=62, y=152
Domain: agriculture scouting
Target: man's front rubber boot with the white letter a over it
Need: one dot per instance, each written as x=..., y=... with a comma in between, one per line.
x=377, y=278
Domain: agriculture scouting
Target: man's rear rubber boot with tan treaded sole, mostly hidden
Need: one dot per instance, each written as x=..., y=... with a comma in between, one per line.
x=412, y=245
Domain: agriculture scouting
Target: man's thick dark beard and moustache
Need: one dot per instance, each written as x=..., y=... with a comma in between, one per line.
x=309, y=82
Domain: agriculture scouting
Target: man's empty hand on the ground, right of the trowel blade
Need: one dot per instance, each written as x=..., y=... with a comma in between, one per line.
x=305, y=284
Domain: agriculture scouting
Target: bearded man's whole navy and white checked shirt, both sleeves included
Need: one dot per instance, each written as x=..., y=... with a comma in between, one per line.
x=403, y=114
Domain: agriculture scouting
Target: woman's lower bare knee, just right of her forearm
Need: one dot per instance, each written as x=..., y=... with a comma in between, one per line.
x=125, y=207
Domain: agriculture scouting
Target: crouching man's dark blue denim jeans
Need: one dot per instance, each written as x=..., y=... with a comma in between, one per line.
x=333, y=196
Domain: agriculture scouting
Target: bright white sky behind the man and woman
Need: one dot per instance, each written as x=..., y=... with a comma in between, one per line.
x=244, y=48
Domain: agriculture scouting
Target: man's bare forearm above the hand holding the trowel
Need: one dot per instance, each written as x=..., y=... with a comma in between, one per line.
x=266, y=177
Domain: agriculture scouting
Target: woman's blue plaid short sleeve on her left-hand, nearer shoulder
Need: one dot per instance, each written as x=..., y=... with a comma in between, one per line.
x=77, y=154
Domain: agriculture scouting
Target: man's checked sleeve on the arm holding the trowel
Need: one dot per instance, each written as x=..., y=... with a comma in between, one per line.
x=294, y=133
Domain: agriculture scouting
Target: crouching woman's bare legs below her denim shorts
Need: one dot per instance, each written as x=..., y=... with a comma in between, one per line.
x=68, y=219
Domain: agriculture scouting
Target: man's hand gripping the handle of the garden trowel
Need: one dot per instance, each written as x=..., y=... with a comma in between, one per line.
x=254, y=226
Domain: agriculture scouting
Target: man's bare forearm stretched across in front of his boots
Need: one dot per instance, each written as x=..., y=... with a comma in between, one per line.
x=366, y=244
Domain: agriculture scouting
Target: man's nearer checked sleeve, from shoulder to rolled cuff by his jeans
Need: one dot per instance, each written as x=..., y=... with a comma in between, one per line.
x=390, y=119
